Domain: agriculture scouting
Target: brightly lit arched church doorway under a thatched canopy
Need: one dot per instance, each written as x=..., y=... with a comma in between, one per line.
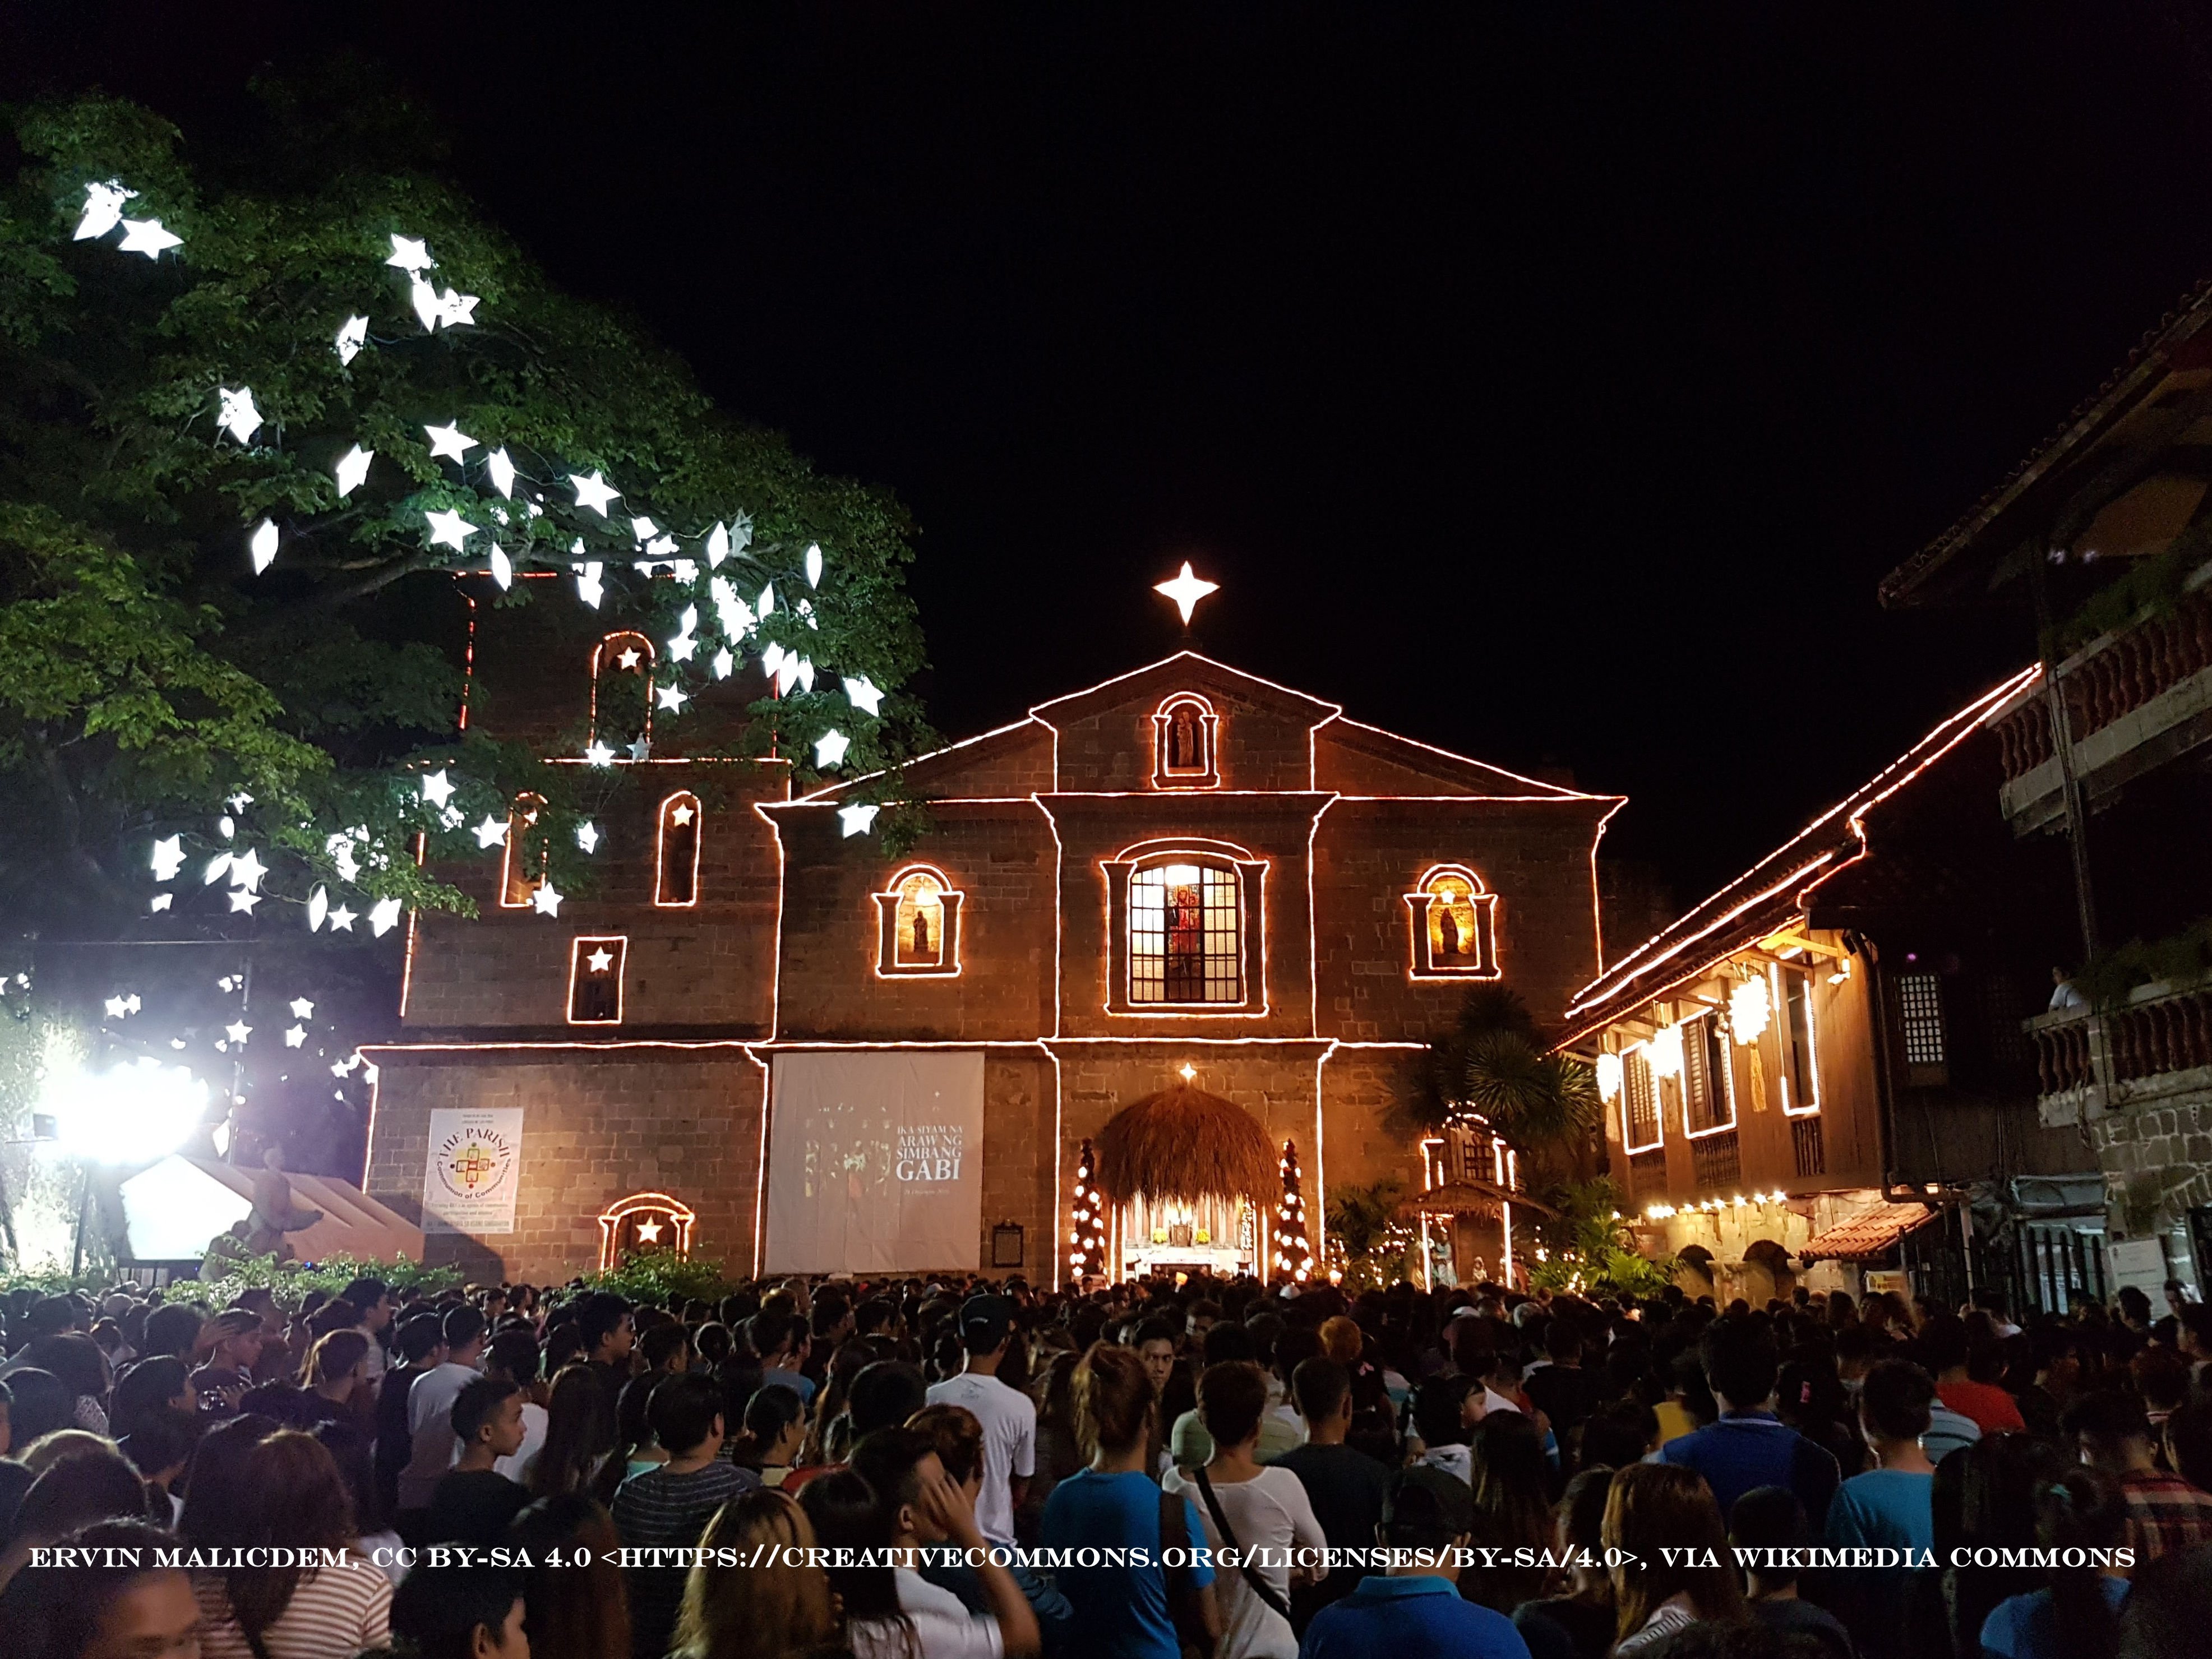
x=1187, y=1178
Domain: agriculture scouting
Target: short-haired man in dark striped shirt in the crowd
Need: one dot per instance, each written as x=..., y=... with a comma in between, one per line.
x=674, y=1503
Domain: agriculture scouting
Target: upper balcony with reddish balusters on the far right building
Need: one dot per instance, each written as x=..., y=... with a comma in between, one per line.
x=2133, y=700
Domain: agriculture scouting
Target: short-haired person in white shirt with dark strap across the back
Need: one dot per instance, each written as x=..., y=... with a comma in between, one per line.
x=1251, y=1507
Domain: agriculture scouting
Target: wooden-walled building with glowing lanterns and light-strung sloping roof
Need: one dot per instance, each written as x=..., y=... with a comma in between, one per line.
x=1822, y=1074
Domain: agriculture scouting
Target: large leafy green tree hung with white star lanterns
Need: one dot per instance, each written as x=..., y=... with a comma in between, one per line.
x=211, y=616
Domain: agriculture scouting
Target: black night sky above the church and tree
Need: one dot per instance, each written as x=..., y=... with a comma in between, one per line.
x=1552, y=386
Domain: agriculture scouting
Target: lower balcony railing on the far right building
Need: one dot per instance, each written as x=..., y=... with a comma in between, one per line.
x=2153, y=1045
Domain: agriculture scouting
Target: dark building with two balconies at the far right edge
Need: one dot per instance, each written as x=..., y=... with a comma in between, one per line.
x=2103, y=547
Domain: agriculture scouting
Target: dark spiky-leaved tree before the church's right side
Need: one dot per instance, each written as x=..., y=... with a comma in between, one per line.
x=1494, y=1065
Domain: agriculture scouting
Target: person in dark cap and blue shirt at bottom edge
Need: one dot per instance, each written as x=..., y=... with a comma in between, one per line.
x=1415, y=1607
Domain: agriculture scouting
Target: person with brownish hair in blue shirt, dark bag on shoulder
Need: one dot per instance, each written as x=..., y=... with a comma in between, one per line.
x=1123, y=1611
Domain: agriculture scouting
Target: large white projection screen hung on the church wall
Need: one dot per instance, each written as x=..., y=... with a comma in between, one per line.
x=875, y=1162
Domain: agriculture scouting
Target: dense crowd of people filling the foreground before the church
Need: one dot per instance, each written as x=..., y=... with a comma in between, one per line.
x=1147, y=1470
